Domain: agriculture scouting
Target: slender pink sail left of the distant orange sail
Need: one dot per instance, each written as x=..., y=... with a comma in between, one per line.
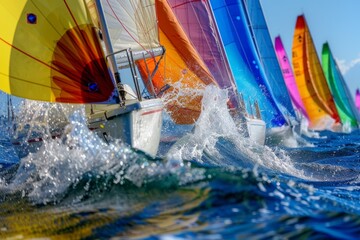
x=289, y=77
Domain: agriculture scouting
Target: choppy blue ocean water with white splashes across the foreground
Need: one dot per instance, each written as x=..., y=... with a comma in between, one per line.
x=207, y=182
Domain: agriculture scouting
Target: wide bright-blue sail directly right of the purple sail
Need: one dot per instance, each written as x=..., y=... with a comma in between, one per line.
x=244, y=62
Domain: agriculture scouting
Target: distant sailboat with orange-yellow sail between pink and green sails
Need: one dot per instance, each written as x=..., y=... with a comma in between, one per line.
x=311, y=81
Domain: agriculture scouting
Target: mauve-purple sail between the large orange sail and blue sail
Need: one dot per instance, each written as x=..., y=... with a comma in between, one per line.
x=197, y=21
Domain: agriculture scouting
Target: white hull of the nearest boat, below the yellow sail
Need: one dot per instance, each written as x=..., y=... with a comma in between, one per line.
x=137, y=124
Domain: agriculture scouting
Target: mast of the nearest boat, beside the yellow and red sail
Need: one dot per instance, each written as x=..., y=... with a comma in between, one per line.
x=110, y=50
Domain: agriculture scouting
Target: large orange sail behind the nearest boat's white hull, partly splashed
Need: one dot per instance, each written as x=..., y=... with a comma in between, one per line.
x=182, y=69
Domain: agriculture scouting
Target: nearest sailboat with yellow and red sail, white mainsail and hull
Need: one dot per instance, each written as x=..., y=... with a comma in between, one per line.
x=54, y=52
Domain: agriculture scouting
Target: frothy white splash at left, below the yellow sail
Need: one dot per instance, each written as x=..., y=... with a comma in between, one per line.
x=64, y=163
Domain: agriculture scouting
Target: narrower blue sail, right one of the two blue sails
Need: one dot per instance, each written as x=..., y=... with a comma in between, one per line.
x=266, y=52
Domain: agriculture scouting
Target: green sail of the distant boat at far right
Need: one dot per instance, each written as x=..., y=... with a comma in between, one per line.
x=343, y=100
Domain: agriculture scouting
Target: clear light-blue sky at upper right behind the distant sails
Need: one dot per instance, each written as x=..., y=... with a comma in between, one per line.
x=334, y=21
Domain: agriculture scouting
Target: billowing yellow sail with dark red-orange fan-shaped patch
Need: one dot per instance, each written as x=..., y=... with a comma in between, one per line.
x=50, y=51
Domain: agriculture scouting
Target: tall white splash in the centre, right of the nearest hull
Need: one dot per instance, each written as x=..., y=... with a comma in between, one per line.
x=214, y=126
